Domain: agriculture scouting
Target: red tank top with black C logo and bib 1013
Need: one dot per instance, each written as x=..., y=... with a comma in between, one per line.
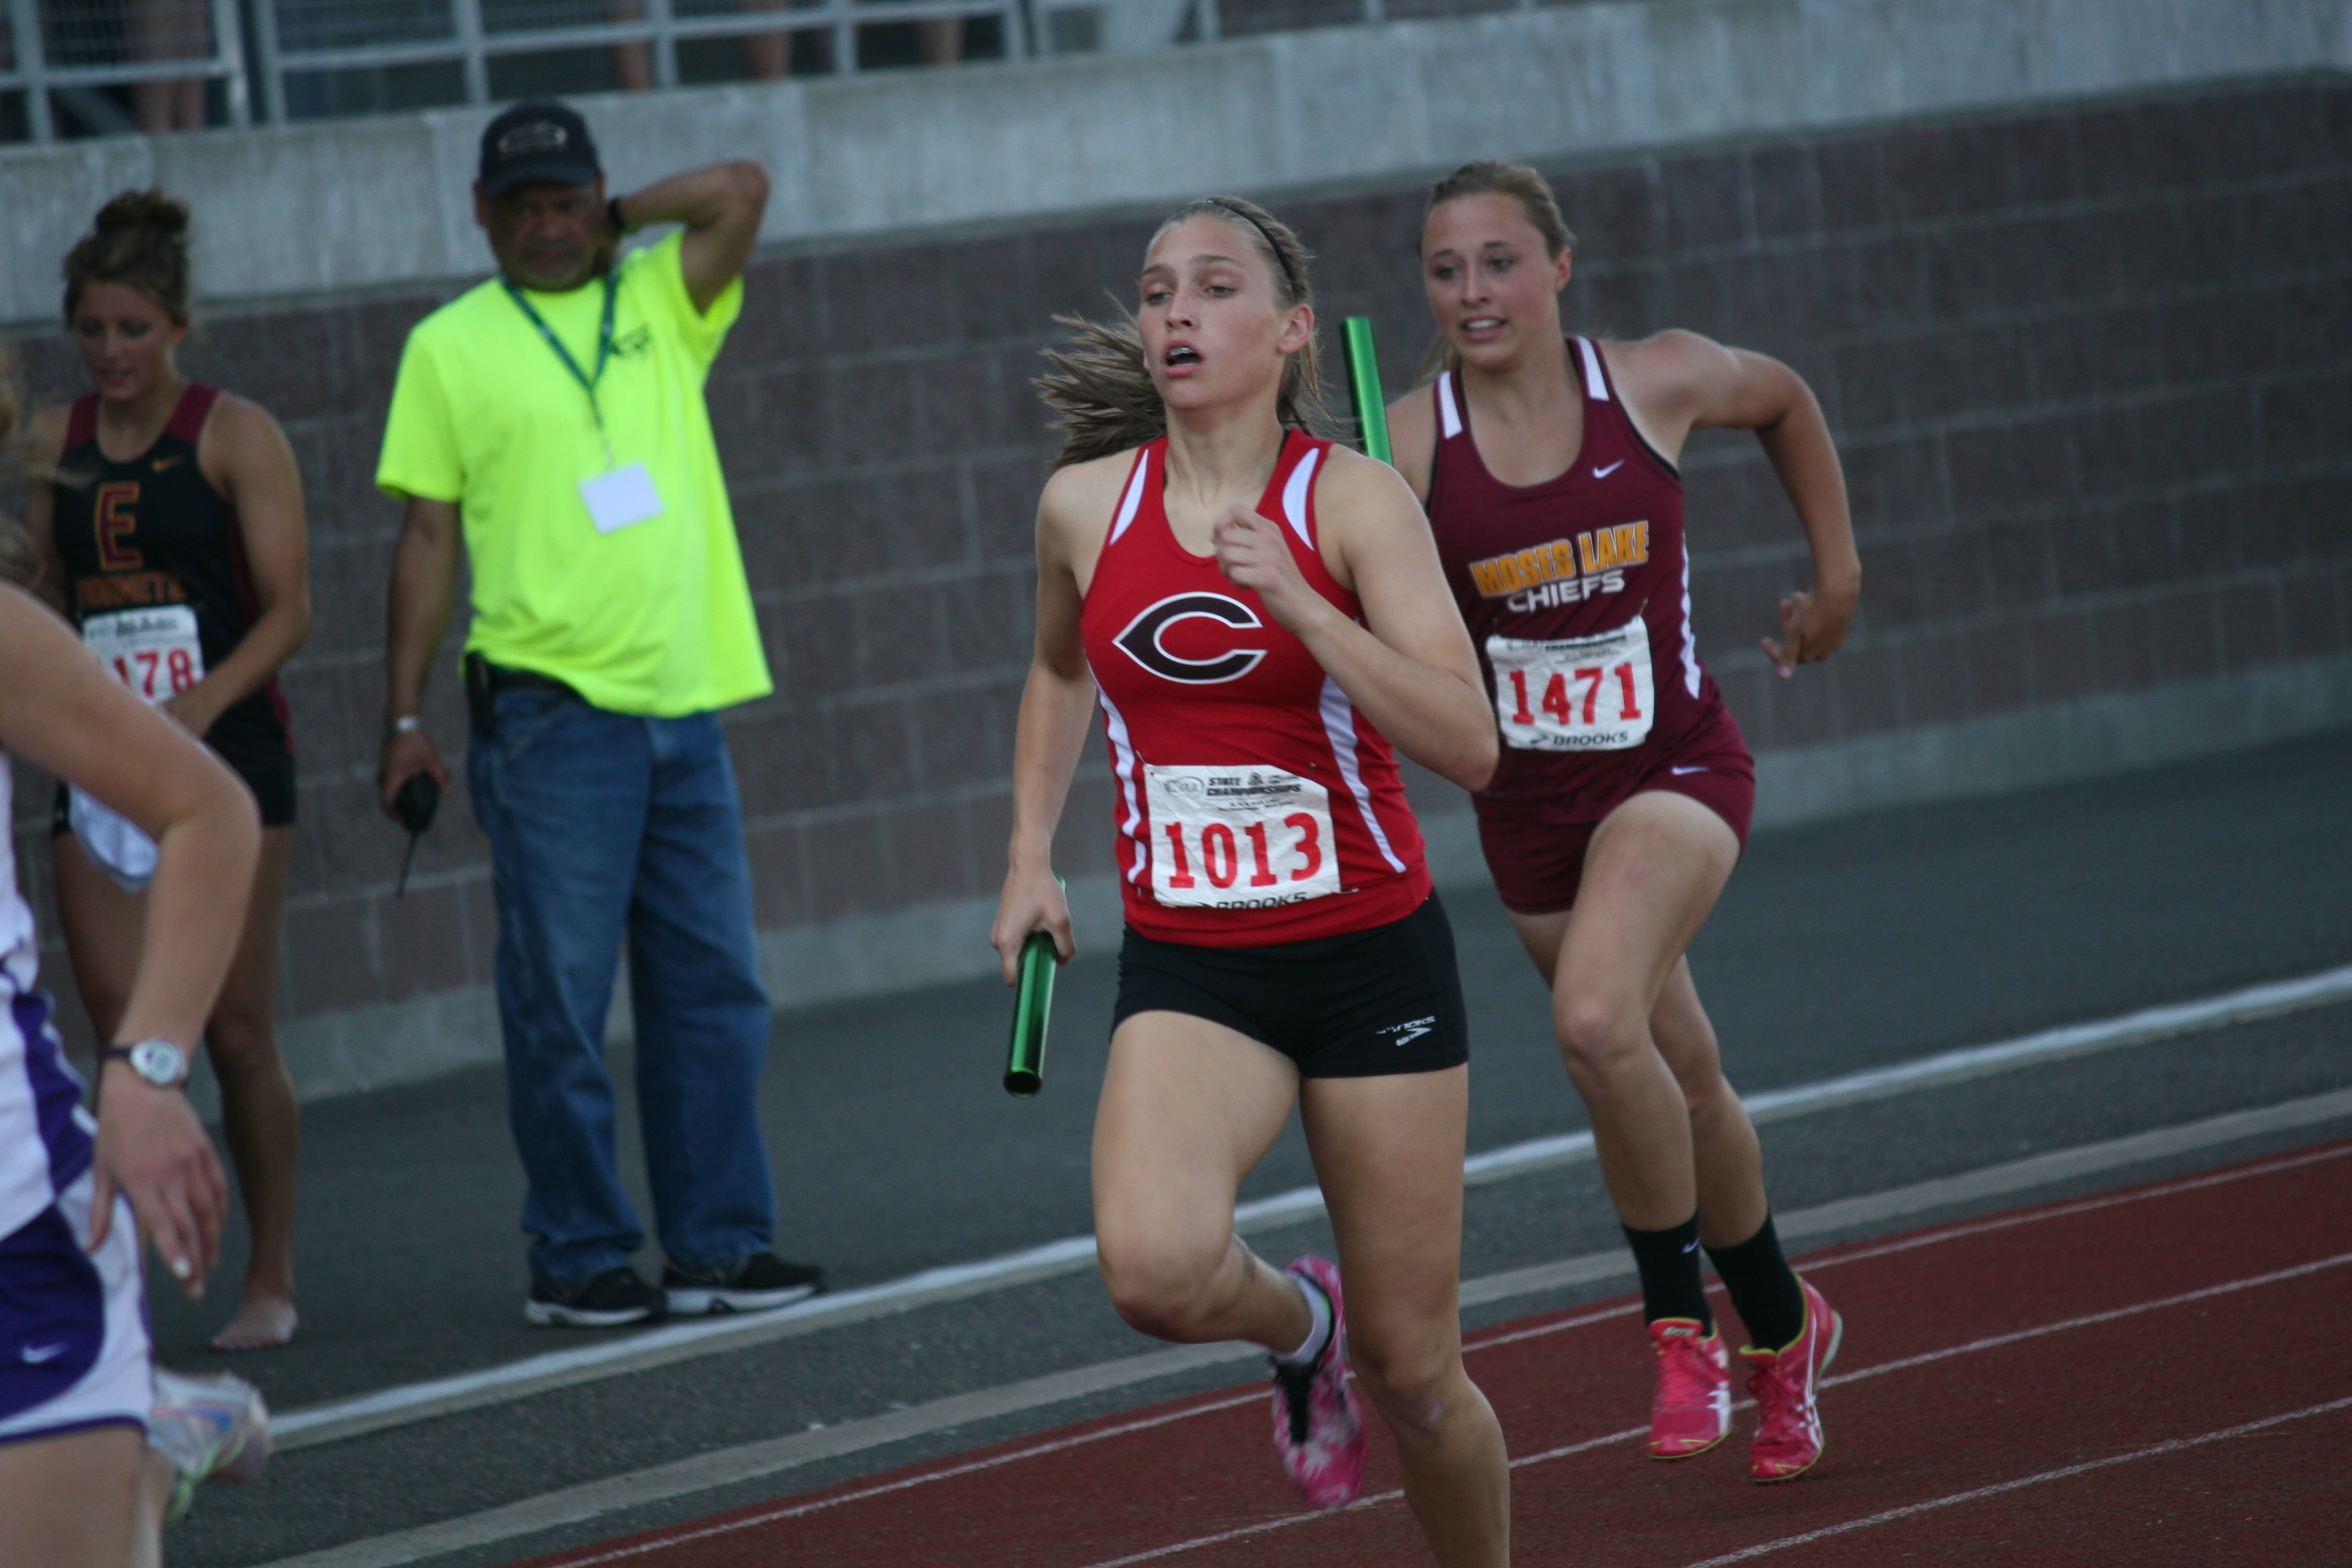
x=1257, y=805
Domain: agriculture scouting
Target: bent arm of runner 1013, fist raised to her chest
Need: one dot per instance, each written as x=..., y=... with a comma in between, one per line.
x=1412, y=674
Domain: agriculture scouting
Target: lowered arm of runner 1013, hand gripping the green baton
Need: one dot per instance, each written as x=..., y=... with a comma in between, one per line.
x=1057, y=706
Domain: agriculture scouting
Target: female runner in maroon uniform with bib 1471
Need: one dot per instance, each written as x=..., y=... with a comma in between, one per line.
x=1624, y=793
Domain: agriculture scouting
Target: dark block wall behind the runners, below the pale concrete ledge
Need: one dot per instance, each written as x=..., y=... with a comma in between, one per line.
x=2090, y=370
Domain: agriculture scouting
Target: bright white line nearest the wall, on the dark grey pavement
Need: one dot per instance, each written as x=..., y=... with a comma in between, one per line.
x=683, y=1341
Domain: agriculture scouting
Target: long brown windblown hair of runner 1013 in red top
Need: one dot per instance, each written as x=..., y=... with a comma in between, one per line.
x=1100, y=384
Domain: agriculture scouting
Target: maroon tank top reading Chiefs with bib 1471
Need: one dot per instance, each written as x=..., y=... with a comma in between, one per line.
x=1579, y=601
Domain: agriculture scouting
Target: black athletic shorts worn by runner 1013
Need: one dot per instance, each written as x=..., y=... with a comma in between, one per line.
x=1342, y=1007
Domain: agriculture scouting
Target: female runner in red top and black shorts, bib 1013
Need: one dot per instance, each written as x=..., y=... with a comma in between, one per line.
x=1259, y=615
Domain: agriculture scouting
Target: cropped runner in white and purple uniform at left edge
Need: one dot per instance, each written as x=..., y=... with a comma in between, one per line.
x=93, y=1442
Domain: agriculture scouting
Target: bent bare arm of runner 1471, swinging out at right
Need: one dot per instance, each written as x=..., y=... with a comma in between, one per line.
x=1681, y=382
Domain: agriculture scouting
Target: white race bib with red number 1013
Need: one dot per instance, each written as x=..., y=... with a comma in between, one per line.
x=1238, y=838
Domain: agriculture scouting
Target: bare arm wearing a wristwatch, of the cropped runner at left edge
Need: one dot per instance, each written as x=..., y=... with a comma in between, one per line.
x=65, y=713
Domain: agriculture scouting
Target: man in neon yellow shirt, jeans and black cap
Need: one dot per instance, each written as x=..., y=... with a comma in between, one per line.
x=554, y=417
